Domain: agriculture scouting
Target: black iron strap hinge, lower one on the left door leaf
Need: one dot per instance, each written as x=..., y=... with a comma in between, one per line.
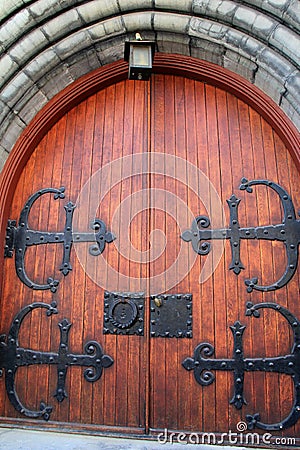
x=12, y=357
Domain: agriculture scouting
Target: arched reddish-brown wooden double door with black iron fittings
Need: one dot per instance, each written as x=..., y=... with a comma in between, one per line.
x=149, y=325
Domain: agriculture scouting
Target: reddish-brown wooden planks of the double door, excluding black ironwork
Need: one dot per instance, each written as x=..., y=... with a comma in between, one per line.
x=203, y=132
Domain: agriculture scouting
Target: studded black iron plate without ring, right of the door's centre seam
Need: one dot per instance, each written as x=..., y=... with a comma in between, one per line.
x=171, y=315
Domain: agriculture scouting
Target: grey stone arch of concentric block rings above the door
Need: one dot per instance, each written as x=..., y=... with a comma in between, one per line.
x=48, y=45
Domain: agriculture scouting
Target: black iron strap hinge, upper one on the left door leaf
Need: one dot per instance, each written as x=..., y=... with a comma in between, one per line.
x=20, y=237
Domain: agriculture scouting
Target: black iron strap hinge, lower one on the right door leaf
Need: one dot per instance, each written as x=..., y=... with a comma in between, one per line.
x=202, y=366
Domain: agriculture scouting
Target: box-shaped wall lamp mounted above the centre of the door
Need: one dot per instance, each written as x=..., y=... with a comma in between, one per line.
x=140, y=56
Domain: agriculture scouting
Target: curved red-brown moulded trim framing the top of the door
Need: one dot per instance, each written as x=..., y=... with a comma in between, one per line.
x=112, y=73
